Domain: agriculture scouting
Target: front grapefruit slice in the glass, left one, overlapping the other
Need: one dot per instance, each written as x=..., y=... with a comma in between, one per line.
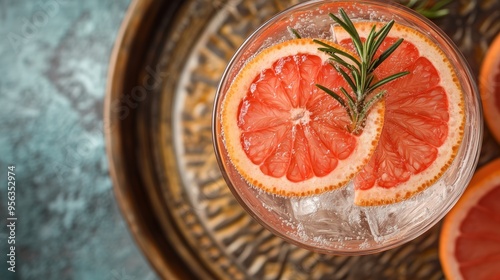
x=283, y=134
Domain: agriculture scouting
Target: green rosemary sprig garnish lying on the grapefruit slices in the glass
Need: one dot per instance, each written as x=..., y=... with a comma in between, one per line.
x=359, y=74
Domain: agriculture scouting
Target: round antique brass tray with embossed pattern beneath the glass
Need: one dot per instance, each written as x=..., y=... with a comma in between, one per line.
x=194, y=210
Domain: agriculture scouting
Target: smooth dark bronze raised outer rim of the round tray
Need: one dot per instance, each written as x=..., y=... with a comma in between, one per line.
x=132, y=200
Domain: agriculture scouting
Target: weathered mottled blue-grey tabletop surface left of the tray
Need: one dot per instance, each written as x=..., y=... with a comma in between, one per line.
x=53, y=65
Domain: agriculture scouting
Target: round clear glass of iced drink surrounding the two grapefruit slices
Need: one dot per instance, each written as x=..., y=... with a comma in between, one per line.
x=330, y=223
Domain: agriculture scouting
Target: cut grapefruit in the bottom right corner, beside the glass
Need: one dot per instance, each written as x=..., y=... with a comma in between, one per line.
x=469, y=245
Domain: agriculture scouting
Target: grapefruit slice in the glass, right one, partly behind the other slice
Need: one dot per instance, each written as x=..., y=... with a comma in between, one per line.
x=424, y=119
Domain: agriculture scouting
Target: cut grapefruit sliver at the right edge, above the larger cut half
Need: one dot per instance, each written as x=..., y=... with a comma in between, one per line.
x=489, y=86
